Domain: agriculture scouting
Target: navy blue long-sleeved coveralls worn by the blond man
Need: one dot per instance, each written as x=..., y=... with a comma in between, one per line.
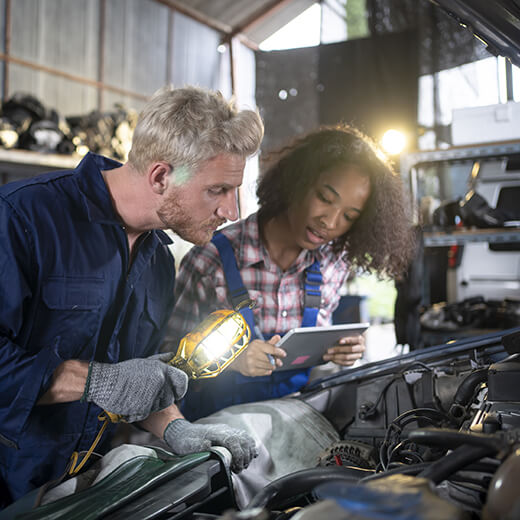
x=68, y=291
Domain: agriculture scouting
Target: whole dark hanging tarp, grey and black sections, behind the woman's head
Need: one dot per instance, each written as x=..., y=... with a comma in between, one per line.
x=370, y=82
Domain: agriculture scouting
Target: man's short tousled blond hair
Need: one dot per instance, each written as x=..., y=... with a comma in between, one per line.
x=187, y=126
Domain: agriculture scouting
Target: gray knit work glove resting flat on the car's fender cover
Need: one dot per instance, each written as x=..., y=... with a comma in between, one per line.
x=184, y=437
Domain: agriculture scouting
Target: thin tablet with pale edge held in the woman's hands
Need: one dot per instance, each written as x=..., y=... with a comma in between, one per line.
x=305, y=346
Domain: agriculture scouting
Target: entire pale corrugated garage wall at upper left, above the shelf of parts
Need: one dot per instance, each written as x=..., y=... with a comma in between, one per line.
x=80, y=55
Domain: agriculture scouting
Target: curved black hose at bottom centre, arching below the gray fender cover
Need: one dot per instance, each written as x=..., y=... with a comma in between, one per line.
x=301, y=482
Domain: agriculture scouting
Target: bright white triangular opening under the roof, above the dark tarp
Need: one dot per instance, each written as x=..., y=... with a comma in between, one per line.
x=303, y=31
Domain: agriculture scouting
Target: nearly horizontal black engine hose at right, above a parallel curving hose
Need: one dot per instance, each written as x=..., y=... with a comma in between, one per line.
x=453, y=438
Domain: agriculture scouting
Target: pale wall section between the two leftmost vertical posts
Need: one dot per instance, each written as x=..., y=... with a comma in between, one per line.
x=60, y=35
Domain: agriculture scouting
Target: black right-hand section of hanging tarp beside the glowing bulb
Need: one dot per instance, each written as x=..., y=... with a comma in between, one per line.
x=371, y=83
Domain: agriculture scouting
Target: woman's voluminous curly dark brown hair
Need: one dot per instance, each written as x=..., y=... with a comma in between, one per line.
x=381, y=240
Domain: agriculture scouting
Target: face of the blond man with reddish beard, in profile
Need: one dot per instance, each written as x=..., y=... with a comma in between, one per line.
x=196, y=207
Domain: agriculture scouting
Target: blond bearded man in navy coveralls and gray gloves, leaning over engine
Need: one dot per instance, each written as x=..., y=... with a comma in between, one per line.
x=86, y=284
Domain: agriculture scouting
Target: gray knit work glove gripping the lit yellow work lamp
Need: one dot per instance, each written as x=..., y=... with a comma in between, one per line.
x=135, y=388
